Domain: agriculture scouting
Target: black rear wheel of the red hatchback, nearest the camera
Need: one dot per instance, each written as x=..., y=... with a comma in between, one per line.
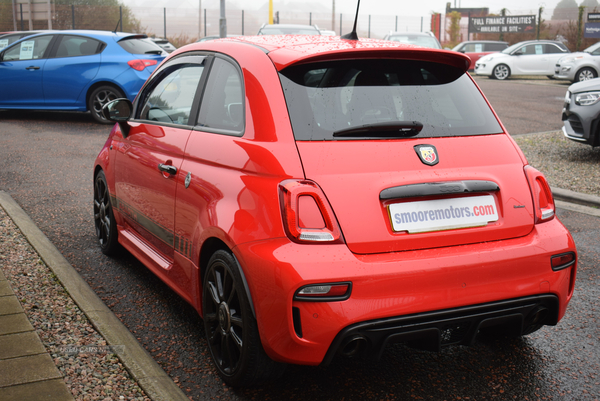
x=230, y=327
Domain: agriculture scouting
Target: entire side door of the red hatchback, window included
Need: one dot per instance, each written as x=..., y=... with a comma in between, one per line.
x=148, y=161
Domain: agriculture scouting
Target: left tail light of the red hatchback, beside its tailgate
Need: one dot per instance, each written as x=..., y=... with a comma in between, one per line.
x=307, y=215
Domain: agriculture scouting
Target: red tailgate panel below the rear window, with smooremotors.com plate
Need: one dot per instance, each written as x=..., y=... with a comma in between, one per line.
x=373, y=188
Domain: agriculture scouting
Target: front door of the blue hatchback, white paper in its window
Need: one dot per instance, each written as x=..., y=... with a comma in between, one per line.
x=21, y=72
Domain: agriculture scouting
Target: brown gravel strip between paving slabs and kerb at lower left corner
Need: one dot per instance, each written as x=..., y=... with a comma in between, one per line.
x=89, y=366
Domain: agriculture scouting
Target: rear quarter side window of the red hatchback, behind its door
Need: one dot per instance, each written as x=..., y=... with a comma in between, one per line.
x=222, y=106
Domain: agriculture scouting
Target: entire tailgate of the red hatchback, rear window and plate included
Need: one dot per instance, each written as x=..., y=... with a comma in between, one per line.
x=408, y=154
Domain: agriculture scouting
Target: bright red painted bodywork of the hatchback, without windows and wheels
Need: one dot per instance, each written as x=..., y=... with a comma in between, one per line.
x=241, y=198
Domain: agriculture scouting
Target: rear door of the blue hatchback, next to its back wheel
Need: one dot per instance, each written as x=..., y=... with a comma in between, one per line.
x=73, y=63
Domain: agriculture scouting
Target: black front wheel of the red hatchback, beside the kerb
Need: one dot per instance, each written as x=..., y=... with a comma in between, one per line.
x=104, y=219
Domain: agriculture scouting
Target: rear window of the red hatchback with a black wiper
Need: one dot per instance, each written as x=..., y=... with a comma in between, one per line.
x=329, y=98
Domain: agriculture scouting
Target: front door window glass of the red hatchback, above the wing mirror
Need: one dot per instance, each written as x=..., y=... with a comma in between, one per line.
x=170, y=99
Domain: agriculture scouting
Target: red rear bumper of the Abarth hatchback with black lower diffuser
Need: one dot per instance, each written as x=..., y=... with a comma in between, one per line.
x=390, y=289
